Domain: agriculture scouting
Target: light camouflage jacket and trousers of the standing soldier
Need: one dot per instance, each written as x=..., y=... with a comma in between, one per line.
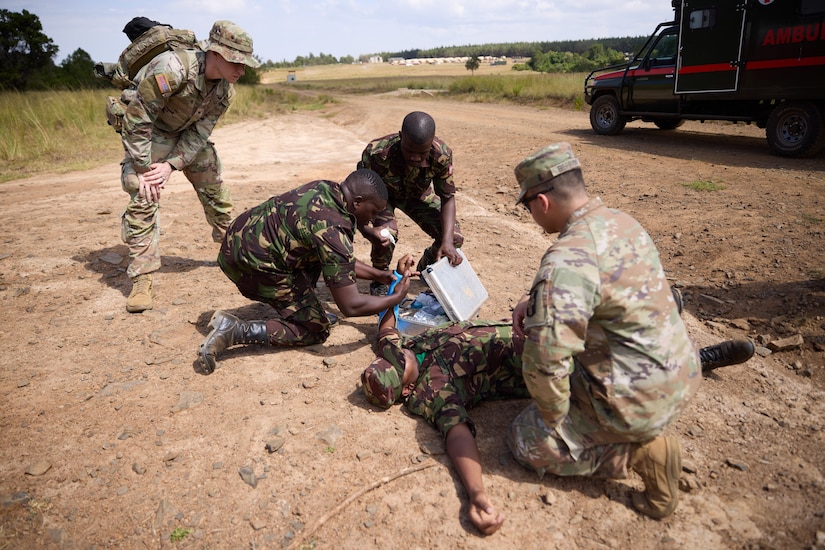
x=170, y=119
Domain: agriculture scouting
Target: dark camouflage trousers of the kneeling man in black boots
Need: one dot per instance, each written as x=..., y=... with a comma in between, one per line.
x=301, y=319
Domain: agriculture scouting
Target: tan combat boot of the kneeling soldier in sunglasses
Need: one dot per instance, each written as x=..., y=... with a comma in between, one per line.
x=659, y=462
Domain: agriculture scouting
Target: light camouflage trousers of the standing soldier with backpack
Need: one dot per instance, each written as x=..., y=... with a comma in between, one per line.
x=140, y=222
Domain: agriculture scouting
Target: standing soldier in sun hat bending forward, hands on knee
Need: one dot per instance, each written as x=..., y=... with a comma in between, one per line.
x=180, y=96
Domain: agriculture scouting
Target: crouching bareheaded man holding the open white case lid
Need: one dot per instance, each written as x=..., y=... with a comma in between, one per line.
x=417, y=168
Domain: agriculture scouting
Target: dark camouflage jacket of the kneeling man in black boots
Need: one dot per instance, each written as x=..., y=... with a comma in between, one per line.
x=299, y=230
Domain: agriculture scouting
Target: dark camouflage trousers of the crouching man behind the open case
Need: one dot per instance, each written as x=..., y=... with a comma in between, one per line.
x=426, y=213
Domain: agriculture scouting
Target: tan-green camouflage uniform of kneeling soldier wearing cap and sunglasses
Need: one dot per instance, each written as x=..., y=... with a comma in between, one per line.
x=607, y=358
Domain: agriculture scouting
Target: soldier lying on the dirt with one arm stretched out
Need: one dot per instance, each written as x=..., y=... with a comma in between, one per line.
x=441, y=373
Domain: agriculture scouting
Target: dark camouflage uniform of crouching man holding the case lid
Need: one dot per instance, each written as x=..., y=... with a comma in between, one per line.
x=418, y=192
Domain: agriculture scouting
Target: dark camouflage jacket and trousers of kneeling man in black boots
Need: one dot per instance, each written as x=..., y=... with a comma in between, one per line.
x=276, y=251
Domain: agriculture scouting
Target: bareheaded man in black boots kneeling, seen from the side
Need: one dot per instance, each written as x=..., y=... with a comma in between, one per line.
x=276, y=251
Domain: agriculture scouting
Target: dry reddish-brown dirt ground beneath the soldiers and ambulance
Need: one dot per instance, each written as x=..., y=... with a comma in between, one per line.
x=137, y=444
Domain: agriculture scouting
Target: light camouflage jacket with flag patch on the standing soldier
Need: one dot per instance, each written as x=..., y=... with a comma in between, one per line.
x=174, y=97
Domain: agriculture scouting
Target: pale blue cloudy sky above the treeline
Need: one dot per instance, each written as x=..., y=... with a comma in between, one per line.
x=284, y=29
